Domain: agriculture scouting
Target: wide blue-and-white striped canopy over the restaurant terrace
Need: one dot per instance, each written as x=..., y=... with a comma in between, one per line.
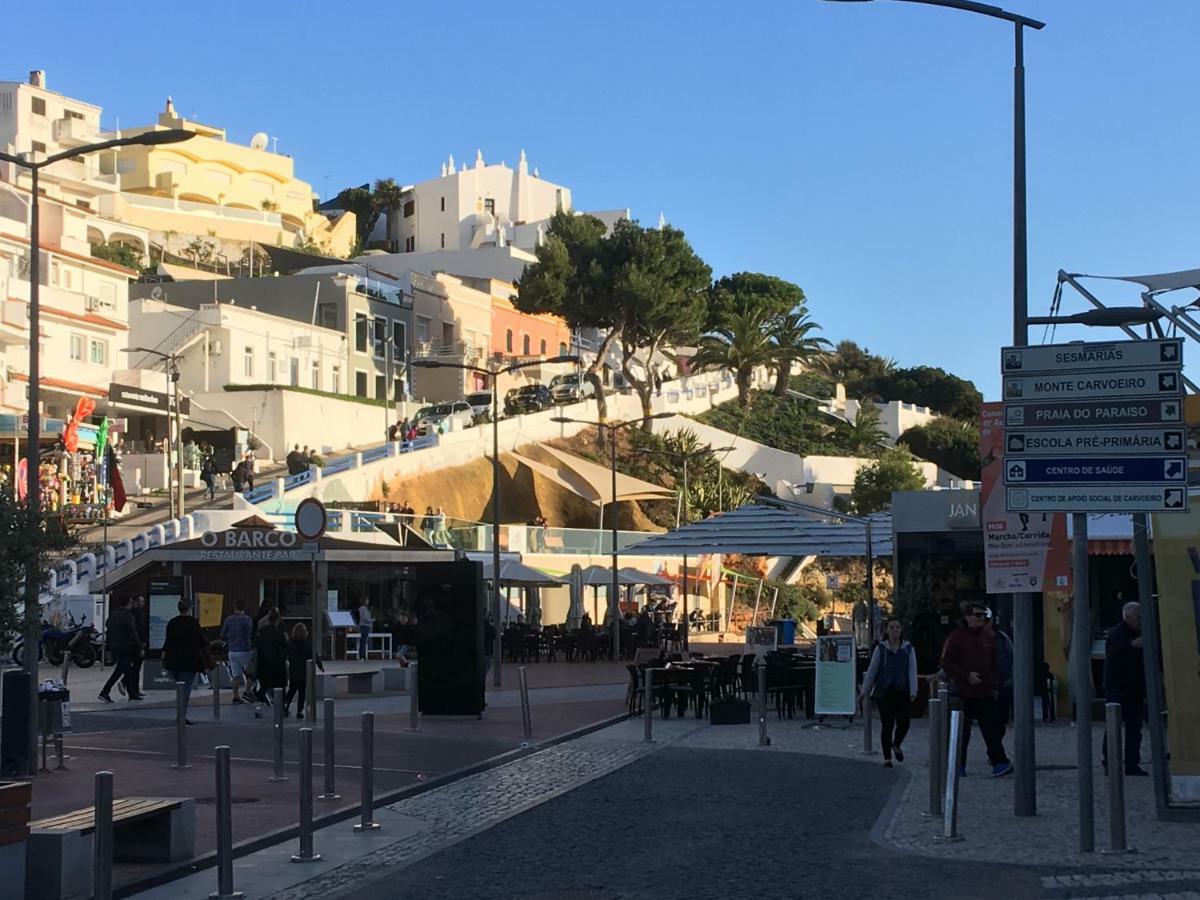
x=771, y=532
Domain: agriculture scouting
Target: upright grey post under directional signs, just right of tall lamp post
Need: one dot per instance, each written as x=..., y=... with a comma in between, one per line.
x=1082, y=682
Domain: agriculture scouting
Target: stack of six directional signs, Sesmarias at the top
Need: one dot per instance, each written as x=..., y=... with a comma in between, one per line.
x=1095, y=428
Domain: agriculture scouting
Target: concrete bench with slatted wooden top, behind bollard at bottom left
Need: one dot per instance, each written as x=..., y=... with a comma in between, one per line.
x=146, y=830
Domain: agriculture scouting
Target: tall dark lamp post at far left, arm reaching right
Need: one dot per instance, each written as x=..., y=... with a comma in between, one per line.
x=33, y=487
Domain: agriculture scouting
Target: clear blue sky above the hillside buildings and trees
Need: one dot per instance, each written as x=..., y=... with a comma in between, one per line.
x=861, y=151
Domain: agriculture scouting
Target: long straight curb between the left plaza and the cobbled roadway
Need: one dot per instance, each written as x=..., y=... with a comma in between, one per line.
x=280, y=836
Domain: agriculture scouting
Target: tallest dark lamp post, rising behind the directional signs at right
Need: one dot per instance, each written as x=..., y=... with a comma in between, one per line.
x=1025, y=800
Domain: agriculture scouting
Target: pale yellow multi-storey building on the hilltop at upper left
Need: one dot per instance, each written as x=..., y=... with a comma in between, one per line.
x=213, y=199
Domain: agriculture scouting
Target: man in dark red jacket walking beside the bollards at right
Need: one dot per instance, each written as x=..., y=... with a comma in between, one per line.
x=968, y=659
